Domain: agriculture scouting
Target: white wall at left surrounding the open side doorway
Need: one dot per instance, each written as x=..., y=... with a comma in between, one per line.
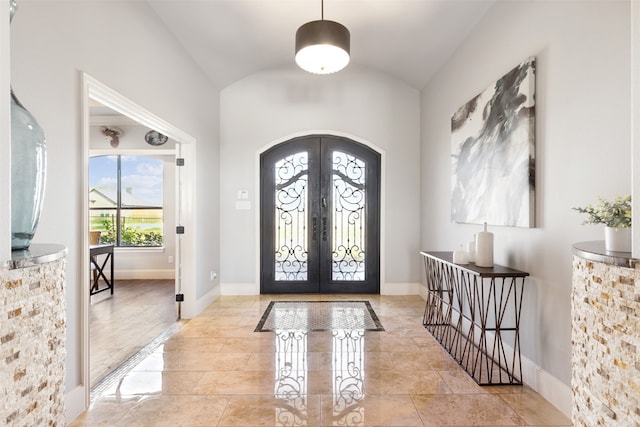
x=124, y=46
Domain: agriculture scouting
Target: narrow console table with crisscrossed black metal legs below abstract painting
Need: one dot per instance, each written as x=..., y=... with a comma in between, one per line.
x=474, y=313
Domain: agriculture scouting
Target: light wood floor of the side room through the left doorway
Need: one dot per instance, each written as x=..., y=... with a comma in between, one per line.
x=122, y=323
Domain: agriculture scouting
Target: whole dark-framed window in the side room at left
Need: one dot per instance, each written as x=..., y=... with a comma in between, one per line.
x=125, y=200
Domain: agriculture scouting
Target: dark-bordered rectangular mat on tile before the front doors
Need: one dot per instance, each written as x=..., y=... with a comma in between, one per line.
x=319, y=316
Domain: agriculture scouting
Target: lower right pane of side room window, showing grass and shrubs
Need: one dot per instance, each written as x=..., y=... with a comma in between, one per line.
x=141, y=227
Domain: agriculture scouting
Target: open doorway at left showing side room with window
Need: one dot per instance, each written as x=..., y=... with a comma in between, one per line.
x=132, y=211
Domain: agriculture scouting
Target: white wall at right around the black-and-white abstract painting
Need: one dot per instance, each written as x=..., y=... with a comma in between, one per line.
x=582, y=150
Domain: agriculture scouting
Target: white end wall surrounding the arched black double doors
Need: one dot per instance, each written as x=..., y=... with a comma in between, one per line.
x=273, y=106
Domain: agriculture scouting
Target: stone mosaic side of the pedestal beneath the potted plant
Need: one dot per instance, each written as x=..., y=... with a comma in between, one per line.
x=605, y=344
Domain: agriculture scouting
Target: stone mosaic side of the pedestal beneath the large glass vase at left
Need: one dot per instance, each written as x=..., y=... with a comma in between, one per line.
x=32, y=345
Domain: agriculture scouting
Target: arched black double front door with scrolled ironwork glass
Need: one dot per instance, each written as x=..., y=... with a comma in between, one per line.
x=320, y=217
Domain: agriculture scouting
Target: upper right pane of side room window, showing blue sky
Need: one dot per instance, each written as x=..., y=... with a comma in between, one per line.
x=141, y=182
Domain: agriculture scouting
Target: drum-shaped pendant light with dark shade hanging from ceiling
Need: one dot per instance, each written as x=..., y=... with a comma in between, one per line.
x=322, y=47
